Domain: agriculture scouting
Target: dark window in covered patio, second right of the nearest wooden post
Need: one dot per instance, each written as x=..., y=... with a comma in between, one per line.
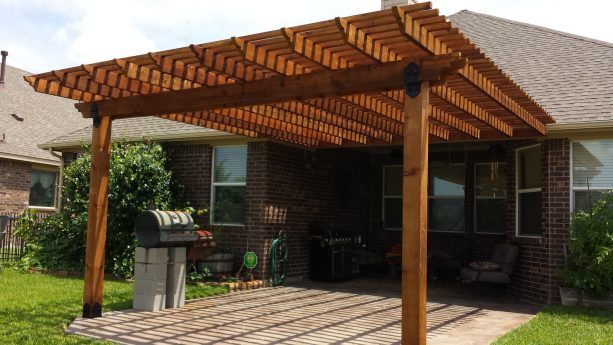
x=490, y=198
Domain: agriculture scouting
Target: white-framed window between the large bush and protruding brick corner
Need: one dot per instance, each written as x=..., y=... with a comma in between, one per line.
x=229, y=180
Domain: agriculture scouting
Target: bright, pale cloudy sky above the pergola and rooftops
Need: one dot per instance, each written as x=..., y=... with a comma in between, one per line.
x=41, y=35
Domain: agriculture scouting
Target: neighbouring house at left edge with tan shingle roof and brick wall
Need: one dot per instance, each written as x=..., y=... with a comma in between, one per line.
x=29, y=176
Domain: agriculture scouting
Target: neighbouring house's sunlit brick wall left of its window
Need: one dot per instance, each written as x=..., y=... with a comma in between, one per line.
x=14, y=185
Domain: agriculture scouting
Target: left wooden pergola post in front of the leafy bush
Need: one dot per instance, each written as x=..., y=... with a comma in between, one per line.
x=97, y=215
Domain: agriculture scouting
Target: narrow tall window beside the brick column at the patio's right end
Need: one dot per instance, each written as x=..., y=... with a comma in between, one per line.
x=528, y=191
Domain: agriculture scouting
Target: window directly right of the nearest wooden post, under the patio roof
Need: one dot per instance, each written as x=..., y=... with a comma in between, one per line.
x=446, y=198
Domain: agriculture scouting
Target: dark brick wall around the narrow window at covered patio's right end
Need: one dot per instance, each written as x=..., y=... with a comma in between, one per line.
x=535, y=277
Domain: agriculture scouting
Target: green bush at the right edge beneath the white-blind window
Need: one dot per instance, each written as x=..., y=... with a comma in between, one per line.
x=589, y=267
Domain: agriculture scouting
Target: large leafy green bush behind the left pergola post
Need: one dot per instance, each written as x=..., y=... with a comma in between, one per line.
x=138, y=179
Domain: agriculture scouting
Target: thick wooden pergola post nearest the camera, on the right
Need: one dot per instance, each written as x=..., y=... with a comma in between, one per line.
x=415, y=217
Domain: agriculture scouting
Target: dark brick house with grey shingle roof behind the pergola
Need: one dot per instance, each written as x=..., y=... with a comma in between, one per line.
x=519, y=191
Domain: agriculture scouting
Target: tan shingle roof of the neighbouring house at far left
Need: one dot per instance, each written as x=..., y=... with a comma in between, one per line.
x=44, y=118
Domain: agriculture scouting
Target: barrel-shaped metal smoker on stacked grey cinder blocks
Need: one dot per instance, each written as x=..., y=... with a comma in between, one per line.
x=160, y=262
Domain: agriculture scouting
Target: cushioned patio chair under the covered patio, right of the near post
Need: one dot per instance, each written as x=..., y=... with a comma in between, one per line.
x=504, y=257
